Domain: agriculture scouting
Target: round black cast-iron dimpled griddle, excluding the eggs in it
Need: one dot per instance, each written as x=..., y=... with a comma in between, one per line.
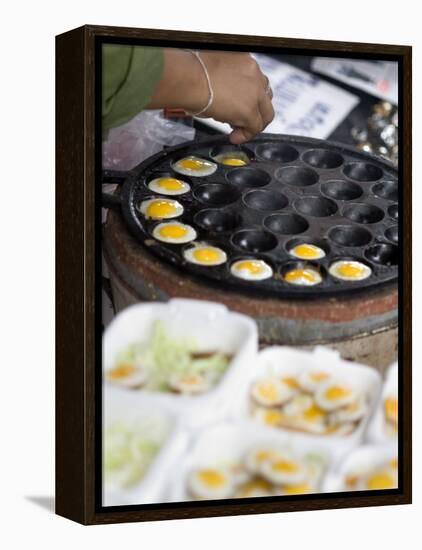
x=294, y=190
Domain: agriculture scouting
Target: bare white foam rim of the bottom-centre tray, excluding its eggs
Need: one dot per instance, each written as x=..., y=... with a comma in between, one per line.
x=225, y=443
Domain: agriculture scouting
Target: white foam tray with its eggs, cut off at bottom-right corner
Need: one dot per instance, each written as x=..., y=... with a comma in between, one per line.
x=369, y=467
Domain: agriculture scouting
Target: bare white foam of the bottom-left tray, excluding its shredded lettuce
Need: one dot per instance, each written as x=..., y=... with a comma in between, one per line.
x=122, y=406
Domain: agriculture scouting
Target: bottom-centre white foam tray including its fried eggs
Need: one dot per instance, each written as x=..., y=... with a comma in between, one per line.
x=239, y=459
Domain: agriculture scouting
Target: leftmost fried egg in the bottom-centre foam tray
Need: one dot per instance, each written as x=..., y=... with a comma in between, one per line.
x=210, y=483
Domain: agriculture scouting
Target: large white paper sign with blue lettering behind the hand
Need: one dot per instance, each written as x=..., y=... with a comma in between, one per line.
x=303, y=103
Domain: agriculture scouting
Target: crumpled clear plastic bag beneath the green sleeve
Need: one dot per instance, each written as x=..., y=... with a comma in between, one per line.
x=146, y=134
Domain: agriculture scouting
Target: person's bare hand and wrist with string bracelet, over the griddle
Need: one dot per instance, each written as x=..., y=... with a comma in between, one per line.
x=242, y=97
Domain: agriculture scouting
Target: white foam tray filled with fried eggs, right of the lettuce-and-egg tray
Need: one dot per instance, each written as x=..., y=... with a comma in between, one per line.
x=314, y=393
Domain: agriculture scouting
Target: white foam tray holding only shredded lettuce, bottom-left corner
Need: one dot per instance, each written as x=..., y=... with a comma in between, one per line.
x=141, y=441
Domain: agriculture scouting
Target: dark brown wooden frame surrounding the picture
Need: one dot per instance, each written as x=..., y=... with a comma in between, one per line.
x=76, y=403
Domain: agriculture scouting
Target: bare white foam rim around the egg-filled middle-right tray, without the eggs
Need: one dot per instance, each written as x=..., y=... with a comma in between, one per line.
x=284, y=361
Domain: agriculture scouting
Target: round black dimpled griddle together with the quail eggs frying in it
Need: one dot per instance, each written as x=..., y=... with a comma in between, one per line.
x=282, y=215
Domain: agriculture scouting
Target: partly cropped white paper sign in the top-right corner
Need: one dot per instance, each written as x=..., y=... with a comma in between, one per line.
x=378, y=78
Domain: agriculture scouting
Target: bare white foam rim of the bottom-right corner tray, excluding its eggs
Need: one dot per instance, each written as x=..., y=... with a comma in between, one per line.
x=361, y=458
